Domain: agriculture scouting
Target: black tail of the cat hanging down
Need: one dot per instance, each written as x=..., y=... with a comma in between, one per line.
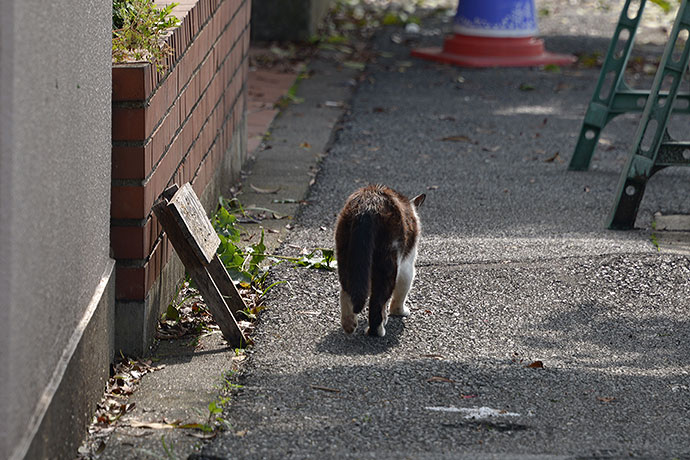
x=360, y=260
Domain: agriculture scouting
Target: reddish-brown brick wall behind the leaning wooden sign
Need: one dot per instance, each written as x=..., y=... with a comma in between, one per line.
x=174, y=127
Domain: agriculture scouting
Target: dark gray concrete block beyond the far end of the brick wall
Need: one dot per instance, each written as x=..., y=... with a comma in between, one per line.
x=293, y=20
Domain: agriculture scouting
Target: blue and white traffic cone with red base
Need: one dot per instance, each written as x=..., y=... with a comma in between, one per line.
x=494, y=33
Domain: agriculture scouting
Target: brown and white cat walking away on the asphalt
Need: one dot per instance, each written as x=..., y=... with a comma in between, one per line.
x=376, y=239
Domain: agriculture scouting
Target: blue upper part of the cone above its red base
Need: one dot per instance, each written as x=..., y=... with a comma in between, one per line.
x=496, y=18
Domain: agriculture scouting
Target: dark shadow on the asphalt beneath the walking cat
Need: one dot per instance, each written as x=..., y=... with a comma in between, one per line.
x=338, y=342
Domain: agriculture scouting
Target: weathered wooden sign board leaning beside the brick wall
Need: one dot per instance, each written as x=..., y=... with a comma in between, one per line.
x=189, y=230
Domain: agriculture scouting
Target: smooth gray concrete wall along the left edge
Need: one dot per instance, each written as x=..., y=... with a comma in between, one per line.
x=55, y=274
